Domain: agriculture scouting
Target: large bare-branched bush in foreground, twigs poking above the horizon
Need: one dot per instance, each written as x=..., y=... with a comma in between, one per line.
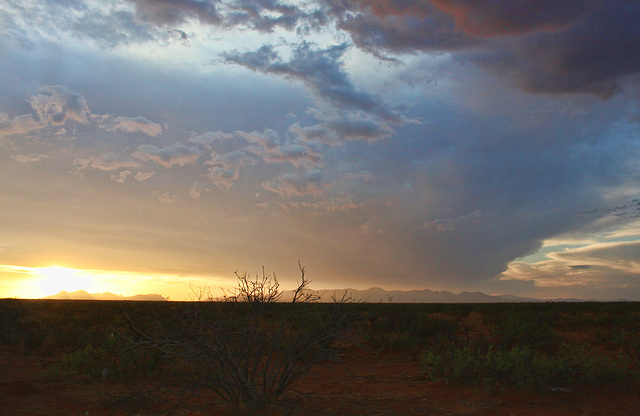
x=248, y=348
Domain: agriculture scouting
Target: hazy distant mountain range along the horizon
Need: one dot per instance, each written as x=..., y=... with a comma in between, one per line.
x=372, y=295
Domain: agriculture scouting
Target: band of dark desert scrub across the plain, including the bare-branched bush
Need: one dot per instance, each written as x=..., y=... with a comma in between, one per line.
x=249, y=347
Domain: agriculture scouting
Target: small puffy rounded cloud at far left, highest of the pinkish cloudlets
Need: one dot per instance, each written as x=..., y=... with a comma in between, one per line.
x=57, y=104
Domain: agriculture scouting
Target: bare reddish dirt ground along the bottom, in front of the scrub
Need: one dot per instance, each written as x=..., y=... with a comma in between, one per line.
x=365, y=383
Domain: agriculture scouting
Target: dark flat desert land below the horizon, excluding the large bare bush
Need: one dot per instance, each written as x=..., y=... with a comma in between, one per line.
x=95, y=358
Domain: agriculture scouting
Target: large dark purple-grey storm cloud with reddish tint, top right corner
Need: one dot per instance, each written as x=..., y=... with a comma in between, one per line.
x=550, y=46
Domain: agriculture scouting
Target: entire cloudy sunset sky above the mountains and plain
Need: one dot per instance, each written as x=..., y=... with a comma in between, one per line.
x=153, y=146
